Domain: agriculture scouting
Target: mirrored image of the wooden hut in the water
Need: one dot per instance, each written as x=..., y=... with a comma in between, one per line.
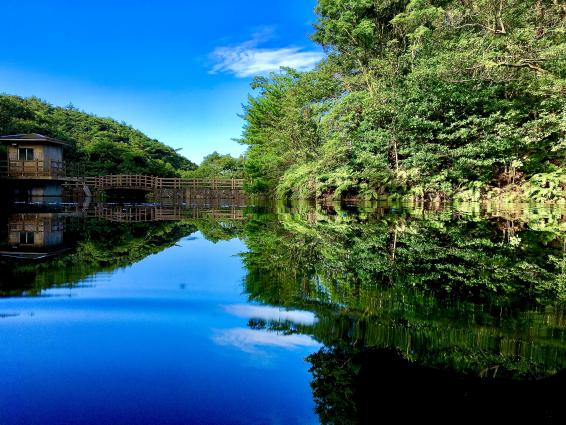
x=34, y=235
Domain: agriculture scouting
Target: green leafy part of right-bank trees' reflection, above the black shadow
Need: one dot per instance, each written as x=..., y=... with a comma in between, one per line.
x=444, y=288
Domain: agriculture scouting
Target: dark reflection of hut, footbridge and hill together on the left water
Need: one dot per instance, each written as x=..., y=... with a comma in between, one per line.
x=43, y=246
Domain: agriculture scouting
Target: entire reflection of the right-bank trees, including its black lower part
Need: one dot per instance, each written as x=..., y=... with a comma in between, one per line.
x=408, y=297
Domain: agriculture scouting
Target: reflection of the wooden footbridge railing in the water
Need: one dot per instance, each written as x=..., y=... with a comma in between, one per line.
x=139, y=214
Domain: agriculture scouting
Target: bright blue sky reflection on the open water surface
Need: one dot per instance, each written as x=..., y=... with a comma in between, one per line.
x=153, y=343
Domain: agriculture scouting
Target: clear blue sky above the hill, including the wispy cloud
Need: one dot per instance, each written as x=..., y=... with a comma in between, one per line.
x=177, y=70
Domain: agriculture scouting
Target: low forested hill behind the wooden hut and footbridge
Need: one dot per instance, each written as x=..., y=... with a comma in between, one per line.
x=104, y=145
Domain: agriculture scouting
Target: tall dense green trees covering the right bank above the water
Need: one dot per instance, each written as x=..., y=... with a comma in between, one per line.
x=427, y=99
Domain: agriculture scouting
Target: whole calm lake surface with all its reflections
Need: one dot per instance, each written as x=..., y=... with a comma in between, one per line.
x=303, y=314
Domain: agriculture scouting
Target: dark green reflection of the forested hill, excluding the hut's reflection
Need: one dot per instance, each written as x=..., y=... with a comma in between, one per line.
x=100, y=245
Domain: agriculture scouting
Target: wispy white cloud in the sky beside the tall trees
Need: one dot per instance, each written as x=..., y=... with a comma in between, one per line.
x=248, y=59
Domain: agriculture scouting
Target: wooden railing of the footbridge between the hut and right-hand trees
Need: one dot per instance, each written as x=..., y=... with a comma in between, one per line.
x=150, y=183
